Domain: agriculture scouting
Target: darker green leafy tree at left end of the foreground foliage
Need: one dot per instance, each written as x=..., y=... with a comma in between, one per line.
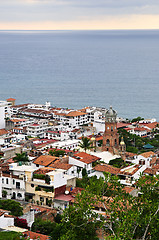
x=80, y=220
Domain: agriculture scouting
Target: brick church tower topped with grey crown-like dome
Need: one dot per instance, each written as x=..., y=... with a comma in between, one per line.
x=111, y=136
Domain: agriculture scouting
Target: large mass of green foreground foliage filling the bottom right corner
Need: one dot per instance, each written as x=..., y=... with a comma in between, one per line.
x=128, y=217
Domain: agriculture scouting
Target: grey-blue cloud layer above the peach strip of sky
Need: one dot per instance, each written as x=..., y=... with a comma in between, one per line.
x=69, y=10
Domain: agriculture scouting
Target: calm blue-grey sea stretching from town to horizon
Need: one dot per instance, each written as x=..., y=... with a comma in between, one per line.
x=82, y=68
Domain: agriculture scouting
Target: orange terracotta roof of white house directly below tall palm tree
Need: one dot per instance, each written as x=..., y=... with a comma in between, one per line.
x=85, y=157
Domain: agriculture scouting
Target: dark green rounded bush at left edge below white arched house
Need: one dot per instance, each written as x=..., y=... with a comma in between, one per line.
x=12, y=206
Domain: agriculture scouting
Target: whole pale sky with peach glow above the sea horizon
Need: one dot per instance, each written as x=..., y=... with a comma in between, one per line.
x=78, y=14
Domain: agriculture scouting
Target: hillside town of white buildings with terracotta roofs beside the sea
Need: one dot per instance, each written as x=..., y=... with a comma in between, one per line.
x=49, y=155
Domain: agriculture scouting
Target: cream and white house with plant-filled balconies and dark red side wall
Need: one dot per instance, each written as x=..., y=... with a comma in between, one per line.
x=44, y=184
